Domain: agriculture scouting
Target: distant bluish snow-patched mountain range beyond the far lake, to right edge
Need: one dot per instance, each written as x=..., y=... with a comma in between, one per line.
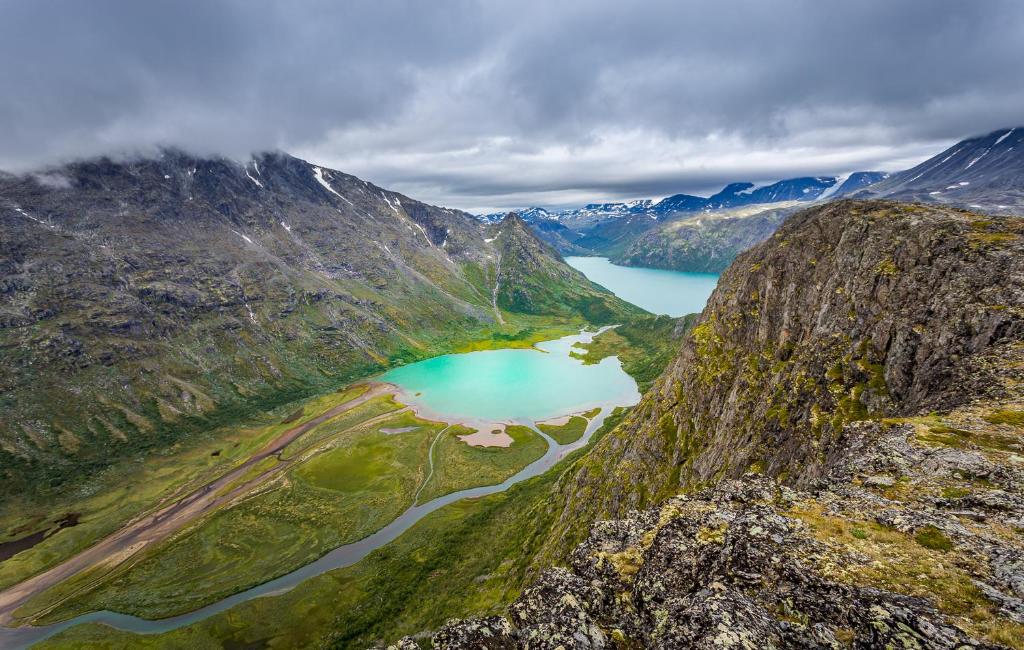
x=696, y=234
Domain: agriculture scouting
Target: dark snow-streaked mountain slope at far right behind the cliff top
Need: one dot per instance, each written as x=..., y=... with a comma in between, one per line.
x=983, y=174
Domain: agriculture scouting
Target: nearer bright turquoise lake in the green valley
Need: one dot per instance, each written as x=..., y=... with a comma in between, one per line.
x=520, y=386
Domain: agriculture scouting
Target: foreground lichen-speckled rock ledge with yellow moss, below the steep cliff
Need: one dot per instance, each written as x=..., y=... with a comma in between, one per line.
x=750, y=564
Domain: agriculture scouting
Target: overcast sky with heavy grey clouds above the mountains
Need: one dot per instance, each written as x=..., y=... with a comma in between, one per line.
x=488, y=106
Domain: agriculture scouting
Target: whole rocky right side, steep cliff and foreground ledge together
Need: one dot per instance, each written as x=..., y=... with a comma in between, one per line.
x=834, y=460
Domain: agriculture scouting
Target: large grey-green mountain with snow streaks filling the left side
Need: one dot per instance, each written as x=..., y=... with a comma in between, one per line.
x=144, y=300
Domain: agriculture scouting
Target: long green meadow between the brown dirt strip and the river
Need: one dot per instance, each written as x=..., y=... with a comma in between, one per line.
x=364, y=481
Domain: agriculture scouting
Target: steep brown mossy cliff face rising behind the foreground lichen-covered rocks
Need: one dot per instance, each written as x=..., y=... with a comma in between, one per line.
x=850, y=312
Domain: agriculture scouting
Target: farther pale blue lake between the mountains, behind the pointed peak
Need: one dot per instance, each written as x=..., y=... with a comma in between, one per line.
x=658, y=291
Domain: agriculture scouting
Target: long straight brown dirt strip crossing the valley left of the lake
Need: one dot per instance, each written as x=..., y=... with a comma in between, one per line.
x=156, y=527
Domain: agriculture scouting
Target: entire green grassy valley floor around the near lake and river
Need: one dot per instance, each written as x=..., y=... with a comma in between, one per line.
x=338, y=483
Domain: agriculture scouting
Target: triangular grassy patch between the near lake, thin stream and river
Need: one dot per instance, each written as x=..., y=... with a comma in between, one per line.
x=461, y=466
